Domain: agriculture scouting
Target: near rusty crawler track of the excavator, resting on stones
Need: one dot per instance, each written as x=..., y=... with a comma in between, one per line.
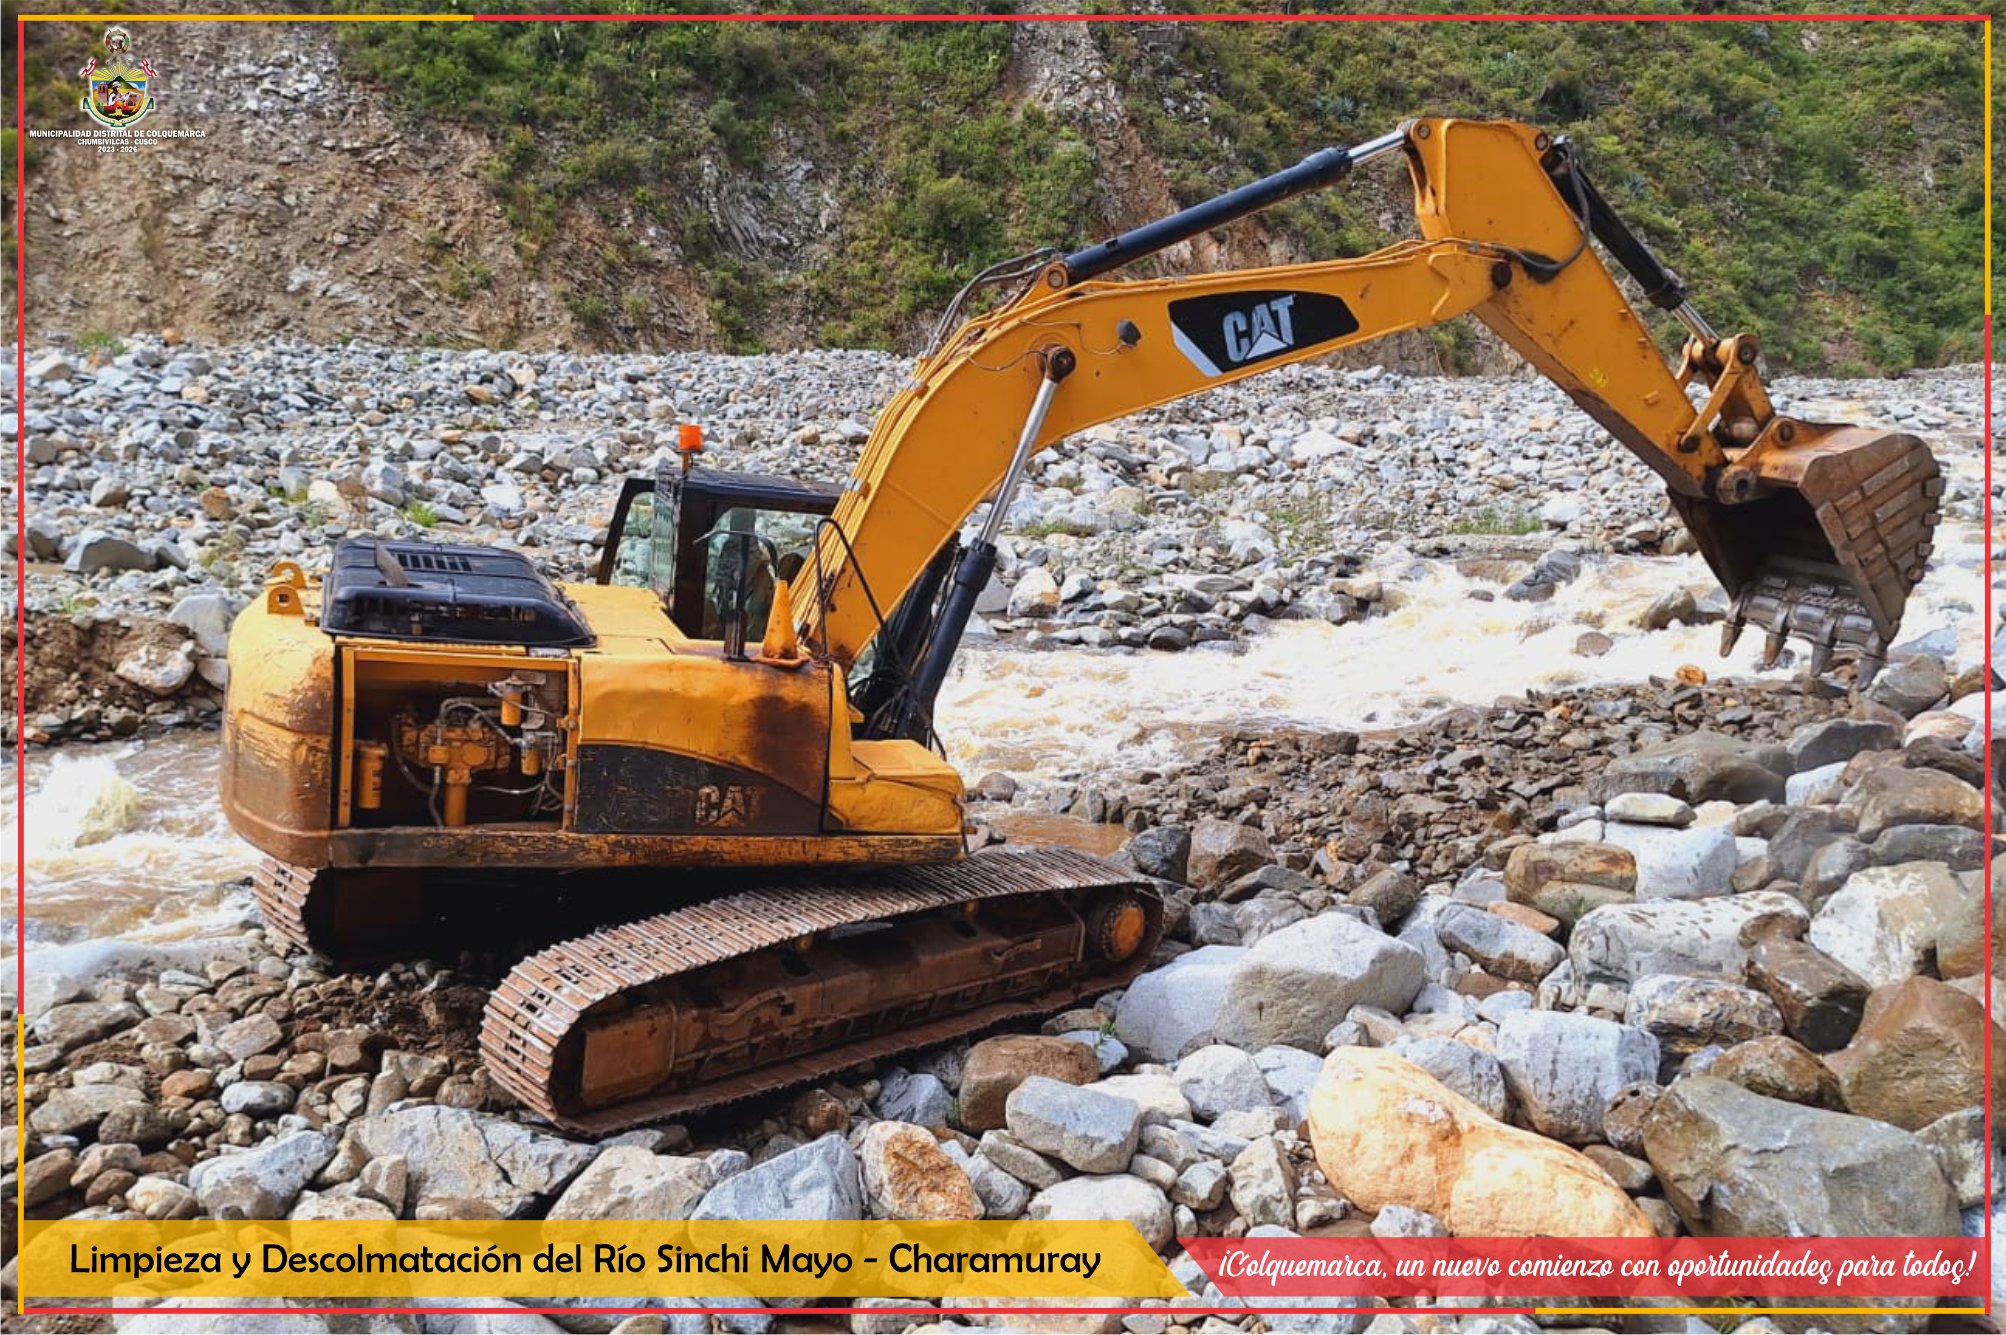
x=615, y=1003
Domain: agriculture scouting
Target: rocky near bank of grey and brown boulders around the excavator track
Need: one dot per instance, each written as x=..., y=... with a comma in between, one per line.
x=1624, y=937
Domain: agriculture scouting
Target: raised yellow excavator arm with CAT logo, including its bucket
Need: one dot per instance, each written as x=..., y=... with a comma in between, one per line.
x=1814, y=530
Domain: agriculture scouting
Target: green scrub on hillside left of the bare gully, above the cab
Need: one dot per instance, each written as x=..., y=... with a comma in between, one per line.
x=625, y=127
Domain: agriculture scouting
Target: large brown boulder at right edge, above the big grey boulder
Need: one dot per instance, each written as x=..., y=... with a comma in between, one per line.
x=1921, y=1055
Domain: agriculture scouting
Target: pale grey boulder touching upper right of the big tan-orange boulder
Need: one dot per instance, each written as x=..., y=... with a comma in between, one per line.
x=1568, y=1067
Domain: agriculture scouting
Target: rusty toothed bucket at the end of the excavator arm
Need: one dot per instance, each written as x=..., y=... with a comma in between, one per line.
x=1828, y=548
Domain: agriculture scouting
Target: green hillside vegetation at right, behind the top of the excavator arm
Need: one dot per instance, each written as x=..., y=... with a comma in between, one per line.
x=1816, y=183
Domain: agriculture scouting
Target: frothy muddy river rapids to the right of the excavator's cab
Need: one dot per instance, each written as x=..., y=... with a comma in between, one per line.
x=1074, y=711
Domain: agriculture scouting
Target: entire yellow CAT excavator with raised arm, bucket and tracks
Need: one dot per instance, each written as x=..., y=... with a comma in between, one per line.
x=721, y=747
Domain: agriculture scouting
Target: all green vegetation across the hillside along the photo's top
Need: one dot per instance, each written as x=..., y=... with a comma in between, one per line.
x=838, y=183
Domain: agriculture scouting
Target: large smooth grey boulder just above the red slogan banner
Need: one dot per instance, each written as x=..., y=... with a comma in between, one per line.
x=1740, y=1166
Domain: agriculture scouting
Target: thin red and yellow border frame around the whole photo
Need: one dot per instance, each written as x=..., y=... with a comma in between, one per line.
x=21, y=576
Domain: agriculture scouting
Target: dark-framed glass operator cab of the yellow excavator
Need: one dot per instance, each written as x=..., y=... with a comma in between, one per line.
x=713, y=544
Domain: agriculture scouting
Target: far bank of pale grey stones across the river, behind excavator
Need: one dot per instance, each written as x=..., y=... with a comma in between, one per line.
x=165, y=480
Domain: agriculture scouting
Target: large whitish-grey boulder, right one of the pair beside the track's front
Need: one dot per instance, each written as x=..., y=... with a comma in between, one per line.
x=1295, y=985
